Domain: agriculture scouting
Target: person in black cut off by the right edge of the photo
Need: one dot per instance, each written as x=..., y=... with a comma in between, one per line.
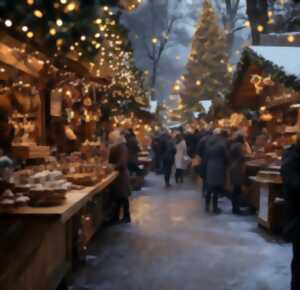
x=290, y=172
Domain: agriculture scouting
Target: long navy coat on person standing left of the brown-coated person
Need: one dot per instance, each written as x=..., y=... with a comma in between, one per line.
x=216, y=161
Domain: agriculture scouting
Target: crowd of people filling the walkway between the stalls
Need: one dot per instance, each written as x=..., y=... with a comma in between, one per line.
x=220, y=155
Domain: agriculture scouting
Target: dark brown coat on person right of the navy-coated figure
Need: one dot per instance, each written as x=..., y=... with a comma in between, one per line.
x=237, y=164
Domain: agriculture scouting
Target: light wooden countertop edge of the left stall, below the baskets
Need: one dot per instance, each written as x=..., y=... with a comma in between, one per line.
x=76, y=199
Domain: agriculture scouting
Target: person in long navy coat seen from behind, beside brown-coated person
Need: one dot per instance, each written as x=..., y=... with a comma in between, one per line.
x=215, y=169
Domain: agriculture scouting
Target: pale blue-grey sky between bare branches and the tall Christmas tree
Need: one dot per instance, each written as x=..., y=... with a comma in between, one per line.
x=174, y=59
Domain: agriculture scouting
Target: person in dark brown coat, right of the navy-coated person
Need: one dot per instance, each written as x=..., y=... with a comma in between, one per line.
x=237, y=170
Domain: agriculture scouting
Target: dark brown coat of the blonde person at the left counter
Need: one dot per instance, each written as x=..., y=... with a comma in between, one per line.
x=118, y=156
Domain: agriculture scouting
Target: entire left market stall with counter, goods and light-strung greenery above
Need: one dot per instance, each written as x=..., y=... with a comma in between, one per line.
x=59, y=94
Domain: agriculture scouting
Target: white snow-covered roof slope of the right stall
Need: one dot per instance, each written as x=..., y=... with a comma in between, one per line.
x=286, y=57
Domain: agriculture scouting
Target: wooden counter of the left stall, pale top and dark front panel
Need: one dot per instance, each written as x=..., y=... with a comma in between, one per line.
x=37, y=244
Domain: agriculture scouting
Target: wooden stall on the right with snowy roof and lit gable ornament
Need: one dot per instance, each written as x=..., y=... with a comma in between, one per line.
x=267, y=84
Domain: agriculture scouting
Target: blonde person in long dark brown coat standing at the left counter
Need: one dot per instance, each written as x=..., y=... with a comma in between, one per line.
x=118, y=156
